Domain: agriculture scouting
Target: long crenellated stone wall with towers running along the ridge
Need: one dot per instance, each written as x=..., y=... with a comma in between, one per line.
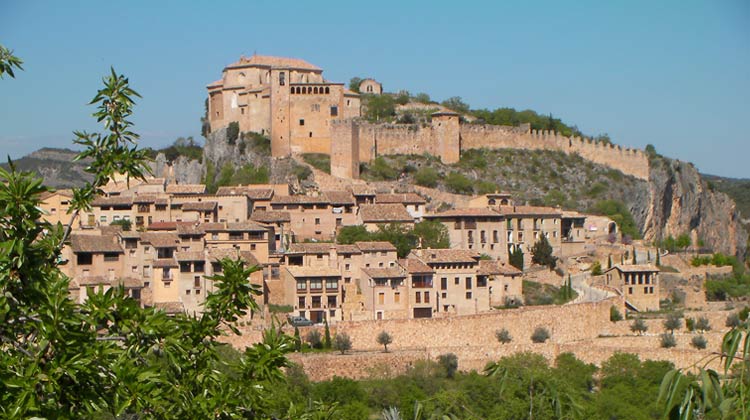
x=356, y=141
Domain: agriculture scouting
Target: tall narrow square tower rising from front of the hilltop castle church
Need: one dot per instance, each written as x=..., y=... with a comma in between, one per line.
x=280, y=113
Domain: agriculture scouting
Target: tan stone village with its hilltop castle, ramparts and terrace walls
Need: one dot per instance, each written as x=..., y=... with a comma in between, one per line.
x=163, y=240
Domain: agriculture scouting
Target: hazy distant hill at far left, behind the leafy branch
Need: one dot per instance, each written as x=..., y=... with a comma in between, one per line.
x=56, y=166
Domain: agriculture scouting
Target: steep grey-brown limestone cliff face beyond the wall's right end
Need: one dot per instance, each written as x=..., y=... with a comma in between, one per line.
x=681, y=202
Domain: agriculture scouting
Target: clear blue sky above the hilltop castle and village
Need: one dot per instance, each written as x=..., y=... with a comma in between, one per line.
x=675, y=74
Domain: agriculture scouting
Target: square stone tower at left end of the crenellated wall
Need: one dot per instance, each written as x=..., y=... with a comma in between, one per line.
x=345, y=149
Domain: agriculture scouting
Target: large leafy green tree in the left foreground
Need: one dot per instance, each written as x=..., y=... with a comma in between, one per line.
x=108, y=357
